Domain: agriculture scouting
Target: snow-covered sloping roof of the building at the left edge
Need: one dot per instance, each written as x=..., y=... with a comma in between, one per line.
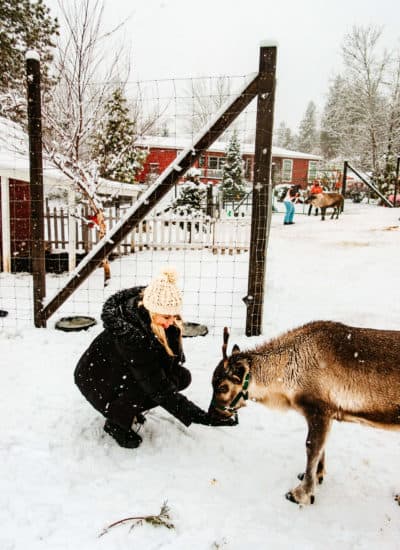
x=14, y=163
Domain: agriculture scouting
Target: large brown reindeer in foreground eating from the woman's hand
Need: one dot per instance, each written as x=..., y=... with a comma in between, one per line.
x=324, y=370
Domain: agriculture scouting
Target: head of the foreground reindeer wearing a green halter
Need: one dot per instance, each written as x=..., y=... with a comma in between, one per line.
x=230, y=382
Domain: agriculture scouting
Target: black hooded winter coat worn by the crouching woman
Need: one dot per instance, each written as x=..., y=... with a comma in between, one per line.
x=126, y=370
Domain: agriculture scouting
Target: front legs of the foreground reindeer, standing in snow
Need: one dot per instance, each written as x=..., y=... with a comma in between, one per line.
x=319, y=423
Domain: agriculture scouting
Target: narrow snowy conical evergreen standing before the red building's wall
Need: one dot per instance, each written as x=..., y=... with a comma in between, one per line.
x=233, y=185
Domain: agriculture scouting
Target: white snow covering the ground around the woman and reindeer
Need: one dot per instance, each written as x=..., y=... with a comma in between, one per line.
x=64, y=480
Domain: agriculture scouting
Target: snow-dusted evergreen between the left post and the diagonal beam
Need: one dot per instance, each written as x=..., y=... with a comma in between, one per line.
x=114, y=145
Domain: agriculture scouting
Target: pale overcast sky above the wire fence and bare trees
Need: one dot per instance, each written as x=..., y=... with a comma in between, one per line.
x=185, y=38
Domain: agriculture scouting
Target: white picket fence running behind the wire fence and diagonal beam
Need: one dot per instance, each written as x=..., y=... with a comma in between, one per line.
x=163, y=232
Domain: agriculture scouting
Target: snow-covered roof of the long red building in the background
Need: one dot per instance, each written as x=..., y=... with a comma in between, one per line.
x=218, y=147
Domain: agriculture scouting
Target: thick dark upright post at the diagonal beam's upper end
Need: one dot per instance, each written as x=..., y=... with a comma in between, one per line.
x=262, y=191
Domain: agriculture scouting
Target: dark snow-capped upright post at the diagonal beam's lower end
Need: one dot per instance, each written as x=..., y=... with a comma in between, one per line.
x=36, y=185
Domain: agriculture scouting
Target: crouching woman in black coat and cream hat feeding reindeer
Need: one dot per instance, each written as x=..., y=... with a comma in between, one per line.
x=135, y=364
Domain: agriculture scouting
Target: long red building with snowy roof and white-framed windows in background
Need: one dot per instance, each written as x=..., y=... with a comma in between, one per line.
x=287, y=166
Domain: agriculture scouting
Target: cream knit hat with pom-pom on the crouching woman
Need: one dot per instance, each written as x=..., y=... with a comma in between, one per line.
x=162, y=295
